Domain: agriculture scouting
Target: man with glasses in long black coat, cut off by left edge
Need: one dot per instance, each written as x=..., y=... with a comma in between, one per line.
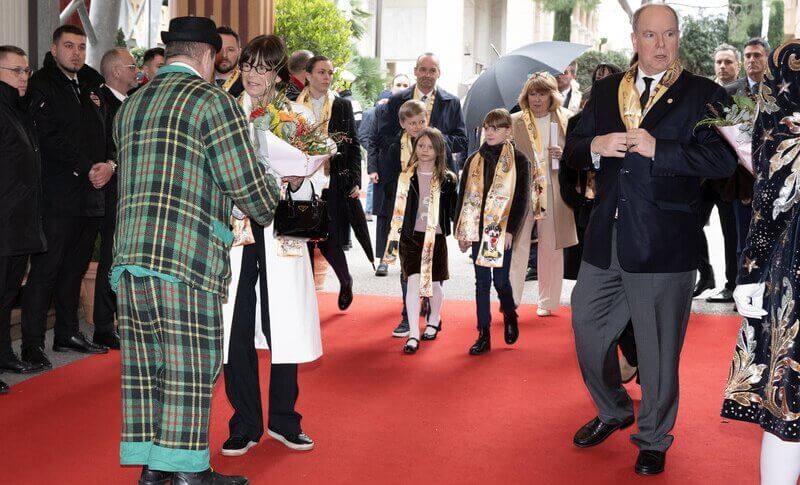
x=20, y=197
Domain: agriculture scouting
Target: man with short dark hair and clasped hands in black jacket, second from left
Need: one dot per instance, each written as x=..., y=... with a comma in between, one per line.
x=65, y=101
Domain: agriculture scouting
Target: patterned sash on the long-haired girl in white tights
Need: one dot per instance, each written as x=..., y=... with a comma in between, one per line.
x=431, y=221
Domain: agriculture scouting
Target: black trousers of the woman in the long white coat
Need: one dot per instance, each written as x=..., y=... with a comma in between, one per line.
x=241, y=372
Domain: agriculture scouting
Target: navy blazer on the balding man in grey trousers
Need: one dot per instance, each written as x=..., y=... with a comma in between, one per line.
x=656, y=199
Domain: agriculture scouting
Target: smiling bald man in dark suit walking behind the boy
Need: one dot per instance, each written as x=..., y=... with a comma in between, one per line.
x=445, y=115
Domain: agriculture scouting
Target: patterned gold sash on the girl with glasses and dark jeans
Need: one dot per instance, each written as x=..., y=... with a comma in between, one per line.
x=495, y=215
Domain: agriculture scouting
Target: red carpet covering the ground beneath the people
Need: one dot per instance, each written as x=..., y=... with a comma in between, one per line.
x=379, y=416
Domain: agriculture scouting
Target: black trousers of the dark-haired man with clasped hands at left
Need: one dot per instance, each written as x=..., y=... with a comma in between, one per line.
x=56, y=275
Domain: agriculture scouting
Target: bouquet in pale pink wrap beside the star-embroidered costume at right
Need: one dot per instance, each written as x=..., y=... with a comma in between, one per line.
x=735, y=124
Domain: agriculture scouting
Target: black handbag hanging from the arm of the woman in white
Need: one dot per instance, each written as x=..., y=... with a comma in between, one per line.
x=306, y=219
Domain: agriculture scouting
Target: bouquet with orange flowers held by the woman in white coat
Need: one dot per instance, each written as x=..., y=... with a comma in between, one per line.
x=296, y=147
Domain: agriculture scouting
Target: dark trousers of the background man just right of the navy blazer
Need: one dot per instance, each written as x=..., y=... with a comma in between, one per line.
x=728, y=235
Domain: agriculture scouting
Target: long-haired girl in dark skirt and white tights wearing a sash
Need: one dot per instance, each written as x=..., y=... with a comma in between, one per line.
x=423, y=210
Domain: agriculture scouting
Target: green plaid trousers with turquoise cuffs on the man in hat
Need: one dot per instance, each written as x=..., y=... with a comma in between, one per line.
x=171, y=345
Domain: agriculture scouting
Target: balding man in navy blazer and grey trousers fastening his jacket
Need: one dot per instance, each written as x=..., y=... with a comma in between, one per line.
x=641, y=249
